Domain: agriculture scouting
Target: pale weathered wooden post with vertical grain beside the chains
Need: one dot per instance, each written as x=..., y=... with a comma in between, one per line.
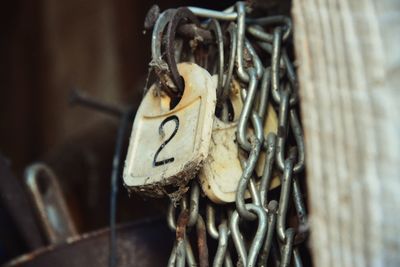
x=349, y=71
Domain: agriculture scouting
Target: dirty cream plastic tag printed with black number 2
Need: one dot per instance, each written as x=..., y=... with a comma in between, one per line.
x=168, y=145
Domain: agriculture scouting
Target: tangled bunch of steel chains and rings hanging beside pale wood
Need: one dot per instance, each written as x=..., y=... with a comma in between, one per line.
x=271, y=81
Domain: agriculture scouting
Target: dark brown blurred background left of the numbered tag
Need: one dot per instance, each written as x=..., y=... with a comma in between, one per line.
x=48, y=48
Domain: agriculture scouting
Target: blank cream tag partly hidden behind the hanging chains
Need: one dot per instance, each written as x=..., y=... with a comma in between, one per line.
x=222, y=170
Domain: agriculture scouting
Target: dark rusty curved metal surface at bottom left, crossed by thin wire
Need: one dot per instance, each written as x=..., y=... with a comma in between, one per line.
x=146, y=243
